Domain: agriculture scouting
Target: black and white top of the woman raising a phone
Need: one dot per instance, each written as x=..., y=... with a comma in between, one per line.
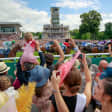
x=75, y=103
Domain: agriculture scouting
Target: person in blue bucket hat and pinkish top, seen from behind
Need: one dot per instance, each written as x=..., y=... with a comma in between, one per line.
x=43, y=90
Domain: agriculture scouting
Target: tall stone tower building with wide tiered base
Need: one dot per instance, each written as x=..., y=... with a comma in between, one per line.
x=55, y=29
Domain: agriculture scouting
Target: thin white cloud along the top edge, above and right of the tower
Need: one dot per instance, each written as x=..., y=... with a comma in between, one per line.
x=77, y=4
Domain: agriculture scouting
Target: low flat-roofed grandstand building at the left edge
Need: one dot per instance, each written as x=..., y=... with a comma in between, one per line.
x=10, y=30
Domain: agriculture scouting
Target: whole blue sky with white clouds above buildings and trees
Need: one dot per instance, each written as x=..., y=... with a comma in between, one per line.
x=33, y=14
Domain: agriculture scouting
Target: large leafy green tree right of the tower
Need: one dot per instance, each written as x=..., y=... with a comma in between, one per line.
x=90, y=22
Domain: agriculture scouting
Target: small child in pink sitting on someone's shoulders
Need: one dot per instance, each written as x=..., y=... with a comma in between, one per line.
x=29, y=48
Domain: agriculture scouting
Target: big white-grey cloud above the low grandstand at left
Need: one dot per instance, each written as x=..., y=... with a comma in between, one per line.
x=17, y=11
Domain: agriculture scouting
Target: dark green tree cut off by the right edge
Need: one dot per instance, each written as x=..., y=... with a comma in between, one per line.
x=108, y=30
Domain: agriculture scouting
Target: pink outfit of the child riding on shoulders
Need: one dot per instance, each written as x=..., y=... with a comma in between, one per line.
x=28, y=54
